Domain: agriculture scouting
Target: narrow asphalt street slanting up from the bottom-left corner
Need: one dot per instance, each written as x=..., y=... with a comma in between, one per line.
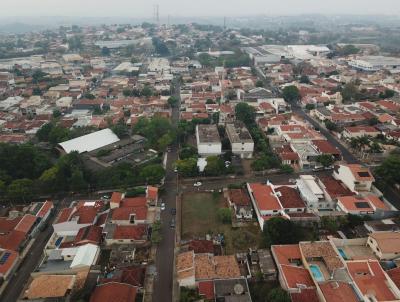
x=18, y=281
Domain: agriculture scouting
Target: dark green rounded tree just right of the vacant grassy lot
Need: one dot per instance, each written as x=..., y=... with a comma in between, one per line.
x=278, y=230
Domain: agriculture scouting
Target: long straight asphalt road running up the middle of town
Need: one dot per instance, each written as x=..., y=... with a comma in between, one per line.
x=162, y=290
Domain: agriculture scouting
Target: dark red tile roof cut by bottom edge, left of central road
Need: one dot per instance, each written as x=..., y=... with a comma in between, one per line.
x=118, y=292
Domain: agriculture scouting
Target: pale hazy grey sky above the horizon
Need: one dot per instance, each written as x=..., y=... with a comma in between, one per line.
x=144, y=8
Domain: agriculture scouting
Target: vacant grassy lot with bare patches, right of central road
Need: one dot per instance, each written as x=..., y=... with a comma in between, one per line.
x=199, y=217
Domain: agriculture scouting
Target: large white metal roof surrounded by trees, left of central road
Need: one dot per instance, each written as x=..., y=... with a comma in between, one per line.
x=90, y=141
